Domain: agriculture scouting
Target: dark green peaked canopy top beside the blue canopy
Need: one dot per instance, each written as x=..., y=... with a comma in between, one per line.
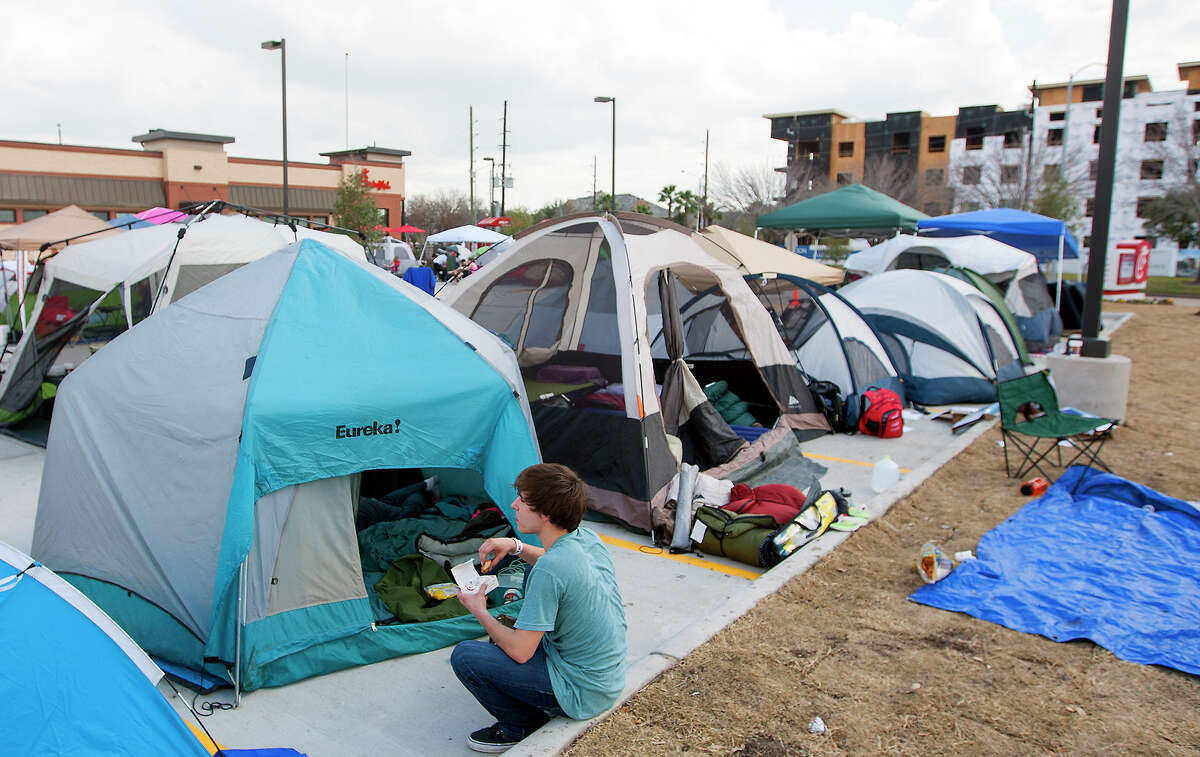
x=855, y=209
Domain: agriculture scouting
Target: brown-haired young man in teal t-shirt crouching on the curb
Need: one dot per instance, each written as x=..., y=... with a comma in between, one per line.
x=567, y=654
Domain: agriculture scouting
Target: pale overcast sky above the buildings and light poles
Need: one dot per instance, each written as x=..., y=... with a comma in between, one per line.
x=107, y=71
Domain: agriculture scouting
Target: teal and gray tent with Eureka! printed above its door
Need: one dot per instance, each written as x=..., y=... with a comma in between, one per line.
x=209, y=460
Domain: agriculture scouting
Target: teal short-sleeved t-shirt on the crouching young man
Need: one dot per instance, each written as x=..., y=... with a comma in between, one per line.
x=572, y=594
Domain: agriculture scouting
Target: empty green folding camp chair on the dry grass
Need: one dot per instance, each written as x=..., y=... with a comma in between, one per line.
x=1029, y=407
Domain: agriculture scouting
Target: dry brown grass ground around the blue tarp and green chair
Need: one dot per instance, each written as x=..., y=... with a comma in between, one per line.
x=892, y=677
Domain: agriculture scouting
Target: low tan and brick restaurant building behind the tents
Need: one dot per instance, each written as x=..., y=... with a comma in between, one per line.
x=175, y=169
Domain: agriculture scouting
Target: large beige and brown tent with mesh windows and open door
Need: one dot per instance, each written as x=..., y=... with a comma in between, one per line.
x=579, y=299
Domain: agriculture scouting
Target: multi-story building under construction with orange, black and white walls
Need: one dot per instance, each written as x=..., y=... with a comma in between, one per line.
x=987, y=157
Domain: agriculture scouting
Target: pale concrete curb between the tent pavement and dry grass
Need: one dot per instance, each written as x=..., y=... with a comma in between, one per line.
x=562, y=732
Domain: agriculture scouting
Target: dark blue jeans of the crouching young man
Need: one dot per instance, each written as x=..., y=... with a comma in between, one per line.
x=518, y=695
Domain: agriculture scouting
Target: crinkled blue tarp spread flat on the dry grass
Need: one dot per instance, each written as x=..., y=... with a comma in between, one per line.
x=1114, y=563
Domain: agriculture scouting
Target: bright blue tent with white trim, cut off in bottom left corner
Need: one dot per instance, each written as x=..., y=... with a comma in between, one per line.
x=75, y=683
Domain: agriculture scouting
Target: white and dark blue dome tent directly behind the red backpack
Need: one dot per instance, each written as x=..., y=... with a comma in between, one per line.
x=830, y=338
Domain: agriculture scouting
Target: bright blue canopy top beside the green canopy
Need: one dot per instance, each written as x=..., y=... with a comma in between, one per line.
x=1022, y=230
